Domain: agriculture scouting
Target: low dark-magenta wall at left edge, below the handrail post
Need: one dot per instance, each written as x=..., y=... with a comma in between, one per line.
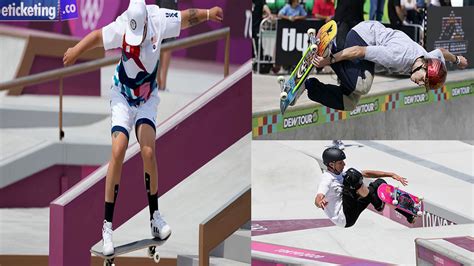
x=39, y=189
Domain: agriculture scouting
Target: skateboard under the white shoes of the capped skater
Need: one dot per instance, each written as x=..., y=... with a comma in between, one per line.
x=151, y=244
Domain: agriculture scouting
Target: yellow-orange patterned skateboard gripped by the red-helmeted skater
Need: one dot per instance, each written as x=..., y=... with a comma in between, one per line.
x=290, y=89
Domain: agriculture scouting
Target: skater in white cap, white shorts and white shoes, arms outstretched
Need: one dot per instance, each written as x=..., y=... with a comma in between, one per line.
x=134, y=99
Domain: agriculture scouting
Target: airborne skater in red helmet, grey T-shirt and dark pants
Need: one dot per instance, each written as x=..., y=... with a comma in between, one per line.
x=371, y=47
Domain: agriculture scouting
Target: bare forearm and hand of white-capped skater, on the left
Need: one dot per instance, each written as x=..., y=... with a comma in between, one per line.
x=91, y=41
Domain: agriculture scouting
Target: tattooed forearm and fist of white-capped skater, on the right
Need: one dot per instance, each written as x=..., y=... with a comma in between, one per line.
x=193, y=16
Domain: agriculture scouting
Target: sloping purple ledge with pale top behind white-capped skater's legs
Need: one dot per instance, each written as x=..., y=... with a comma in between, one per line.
x=194, y=135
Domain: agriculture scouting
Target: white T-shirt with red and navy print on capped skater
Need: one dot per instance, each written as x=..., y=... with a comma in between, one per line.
x=138, y=65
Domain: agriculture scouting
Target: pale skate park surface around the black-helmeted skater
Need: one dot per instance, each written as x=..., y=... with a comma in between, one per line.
x=288, y=228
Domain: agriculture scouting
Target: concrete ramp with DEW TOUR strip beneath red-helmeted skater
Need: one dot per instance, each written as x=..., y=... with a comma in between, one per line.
x=393, y=109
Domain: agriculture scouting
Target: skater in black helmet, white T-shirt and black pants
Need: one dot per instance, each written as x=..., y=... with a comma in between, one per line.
x=343, y=195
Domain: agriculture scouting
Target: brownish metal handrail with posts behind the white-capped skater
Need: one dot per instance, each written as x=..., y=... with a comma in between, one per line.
x=97, y=64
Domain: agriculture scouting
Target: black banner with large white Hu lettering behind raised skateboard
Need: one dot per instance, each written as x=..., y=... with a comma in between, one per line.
x=292, y=39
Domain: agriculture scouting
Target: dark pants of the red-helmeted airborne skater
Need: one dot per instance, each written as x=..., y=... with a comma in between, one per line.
x=347, y=71
